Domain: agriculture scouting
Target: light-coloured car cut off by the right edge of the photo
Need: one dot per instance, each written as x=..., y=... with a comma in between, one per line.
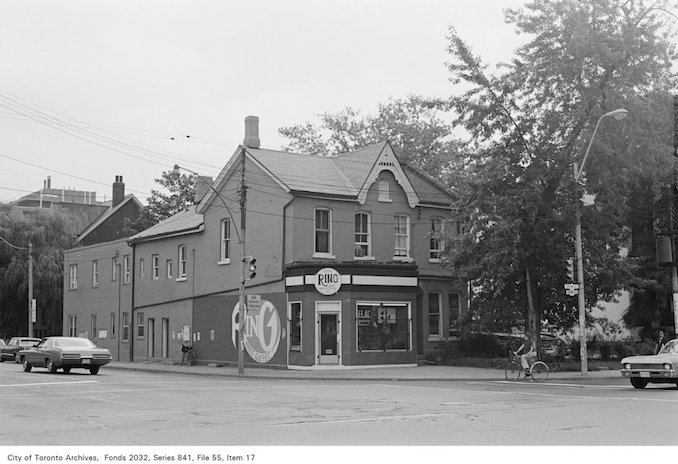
x=658, y=368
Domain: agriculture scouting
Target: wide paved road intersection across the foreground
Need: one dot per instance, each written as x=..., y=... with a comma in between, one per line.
x=130, y=408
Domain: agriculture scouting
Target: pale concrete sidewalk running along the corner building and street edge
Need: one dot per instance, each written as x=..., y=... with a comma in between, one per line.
x=394, y=373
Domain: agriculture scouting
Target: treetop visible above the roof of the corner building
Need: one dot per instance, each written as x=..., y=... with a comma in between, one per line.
x=415, y=128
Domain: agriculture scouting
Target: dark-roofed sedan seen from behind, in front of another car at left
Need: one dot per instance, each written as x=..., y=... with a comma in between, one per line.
x=64, y=353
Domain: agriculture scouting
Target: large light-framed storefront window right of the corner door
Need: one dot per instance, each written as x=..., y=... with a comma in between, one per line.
x=383, y=326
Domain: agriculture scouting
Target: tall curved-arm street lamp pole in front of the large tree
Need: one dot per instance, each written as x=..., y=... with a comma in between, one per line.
x=617, y=114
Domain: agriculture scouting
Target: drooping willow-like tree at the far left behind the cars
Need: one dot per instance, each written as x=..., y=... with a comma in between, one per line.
x=48, y=233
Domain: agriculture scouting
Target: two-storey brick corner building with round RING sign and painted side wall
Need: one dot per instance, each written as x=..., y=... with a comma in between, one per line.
x=342, y=260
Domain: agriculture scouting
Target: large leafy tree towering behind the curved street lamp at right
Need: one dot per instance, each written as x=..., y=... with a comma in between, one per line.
x=529, y=121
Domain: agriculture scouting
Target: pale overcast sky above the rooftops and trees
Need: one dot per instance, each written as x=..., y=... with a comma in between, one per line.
x=93, y=90
